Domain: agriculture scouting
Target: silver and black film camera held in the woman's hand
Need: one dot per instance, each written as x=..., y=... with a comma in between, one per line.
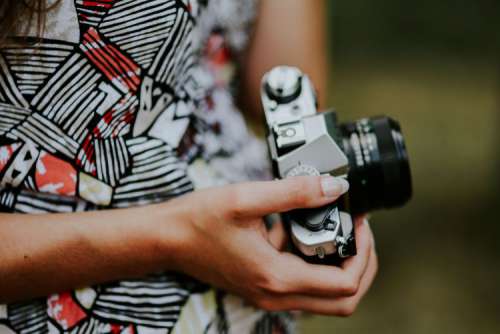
x=370, y=153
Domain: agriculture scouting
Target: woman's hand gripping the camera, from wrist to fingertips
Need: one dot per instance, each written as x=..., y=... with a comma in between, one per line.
x=221, y=239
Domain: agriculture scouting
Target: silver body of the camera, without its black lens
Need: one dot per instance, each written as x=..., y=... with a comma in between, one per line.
x=303, y=141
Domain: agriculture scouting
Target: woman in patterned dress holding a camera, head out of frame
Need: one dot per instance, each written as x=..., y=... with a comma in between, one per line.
x=112, y=113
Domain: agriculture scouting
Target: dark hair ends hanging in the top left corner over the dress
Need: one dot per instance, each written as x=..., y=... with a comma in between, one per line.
x=16, y=16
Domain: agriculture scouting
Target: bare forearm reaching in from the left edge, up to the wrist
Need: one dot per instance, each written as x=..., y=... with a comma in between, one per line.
x=41, y=254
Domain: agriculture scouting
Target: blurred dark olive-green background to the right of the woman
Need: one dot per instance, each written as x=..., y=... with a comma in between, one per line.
x=434, y=66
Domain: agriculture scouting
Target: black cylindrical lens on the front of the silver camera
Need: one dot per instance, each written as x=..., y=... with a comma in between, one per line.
x=379, y=170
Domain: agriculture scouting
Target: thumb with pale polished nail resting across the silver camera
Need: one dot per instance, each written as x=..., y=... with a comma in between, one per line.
x=255, y=199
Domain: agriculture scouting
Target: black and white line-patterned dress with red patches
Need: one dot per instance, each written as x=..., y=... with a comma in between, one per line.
x=124, y=103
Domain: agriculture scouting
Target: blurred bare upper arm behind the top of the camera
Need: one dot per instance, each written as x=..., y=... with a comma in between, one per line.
x=291, y=32
